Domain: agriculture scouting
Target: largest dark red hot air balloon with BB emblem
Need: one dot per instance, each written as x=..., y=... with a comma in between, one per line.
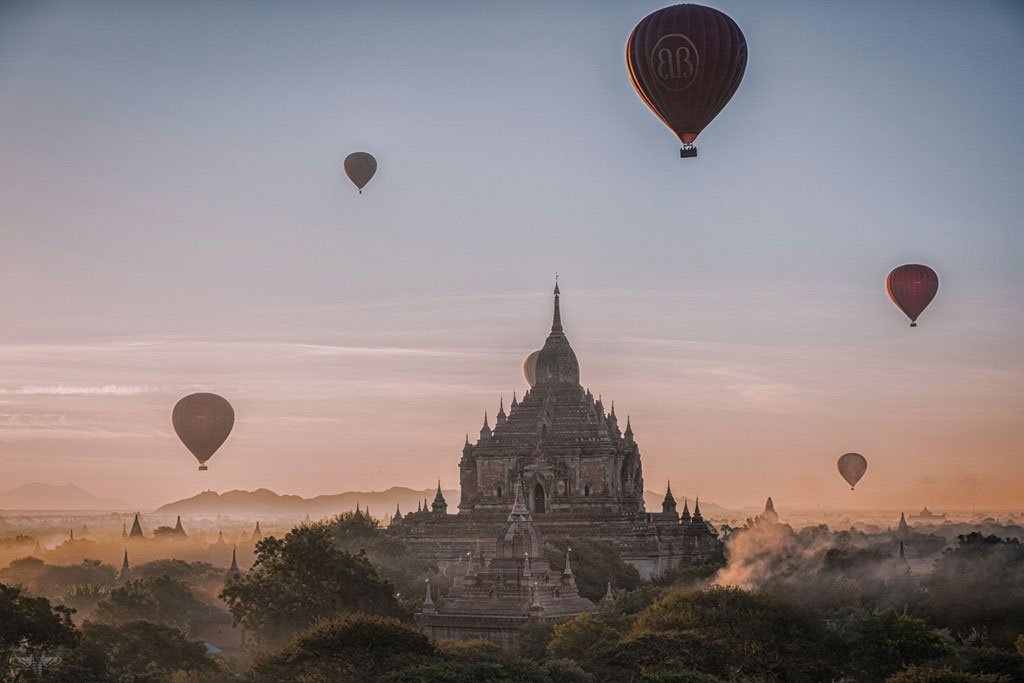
x=687, y=63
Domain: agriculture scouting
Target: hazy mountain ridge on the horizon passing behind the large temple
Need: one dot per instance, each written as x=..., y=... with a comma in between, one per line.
x=265, y=501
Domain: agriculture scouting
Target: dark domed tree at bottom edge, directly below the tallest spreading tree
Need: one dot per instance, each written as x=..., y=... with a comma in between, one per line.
x=355, y=648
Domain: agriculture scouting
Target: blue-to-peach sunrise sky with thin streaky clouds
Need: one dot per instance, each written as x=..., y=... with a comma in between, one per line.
x=175, y=219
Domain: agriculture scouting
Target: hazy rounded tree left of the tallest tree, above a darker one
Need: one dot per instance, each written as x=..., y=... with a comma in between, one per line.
x=156, y=600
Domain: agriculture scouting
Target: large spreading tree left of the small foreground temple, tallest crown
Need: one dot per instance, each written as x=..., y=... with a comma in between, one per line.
x=304, y=578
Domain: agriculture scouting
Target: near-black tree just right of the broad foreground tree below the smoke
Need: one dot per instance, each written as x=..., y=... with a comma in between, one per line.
x=882, y=644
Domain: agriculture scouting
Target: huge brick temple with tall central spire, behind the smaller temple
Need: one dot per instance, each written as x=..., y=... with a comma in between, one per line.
x=582, y=476
